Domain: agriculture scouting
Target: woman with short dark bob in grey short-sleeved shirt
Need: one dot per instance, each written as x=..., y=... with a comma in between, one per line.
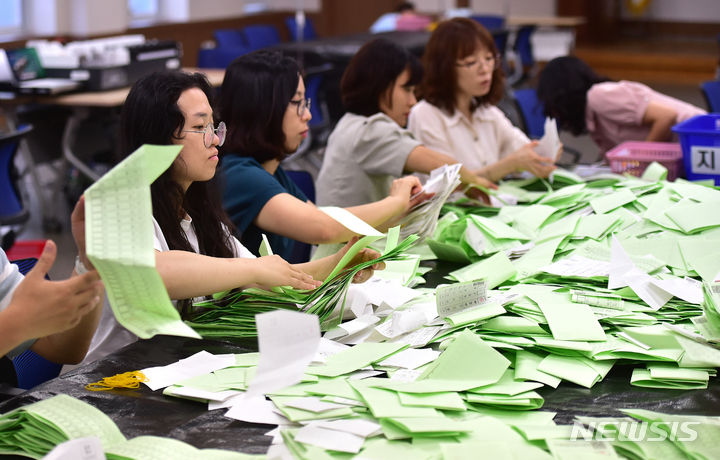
x=370, y=146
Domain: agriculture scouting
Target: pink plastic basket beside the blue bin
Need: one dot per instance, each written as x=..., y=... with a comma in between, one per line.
x=633, y=157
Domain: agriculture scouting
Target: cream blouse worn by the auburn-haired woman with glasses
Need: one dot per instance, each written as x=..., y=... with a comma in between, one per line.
x=475, y=143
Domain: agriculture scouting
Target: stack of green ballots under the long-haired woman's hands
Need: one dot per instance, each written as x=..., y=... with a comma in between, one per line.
x=233, y=314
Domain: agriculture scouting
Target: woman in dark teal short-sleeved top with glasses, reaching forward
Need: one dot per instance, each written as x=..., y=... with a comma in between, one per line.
x=265, y=107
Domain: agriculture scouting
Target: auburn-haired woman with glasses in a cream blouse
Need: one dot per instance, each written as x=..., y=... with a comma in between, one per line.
x=463, y=81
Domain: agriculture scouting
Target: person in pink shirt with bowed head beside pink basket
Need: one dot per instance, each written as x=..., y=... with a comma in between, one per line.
x=612, y=112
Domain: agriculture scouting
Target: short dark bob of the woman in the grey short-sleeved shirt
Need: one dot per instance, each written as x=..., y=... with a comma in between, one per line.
x=371, y=75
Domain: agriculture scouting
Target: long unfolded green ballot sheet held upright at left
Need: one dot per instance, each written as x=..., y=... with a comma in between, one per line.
x=119, y=239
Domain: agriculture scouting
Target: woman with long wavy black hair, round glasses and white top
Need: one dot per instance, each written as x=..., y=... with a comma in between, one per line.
x=196, y=254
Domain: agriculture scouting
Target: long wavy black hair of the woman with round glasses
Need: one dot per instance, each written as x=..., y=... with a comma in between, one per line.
x=151, y=115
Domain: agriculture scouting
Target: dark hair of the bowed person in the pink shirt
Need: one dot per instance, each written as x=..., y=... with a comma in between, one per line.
x=563, y=87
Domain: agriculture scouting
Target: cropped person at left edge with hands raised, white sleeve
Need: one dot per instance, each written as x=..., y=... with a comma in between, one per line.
x=55, y=319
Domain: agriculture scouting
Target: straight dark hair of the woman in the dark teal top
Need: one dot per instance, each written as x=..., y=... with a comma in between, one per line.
x=255, y=94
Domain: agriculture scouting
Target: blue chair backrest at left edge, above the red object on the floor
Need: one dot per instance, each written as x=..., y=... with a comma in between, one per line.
x=12, y=210
